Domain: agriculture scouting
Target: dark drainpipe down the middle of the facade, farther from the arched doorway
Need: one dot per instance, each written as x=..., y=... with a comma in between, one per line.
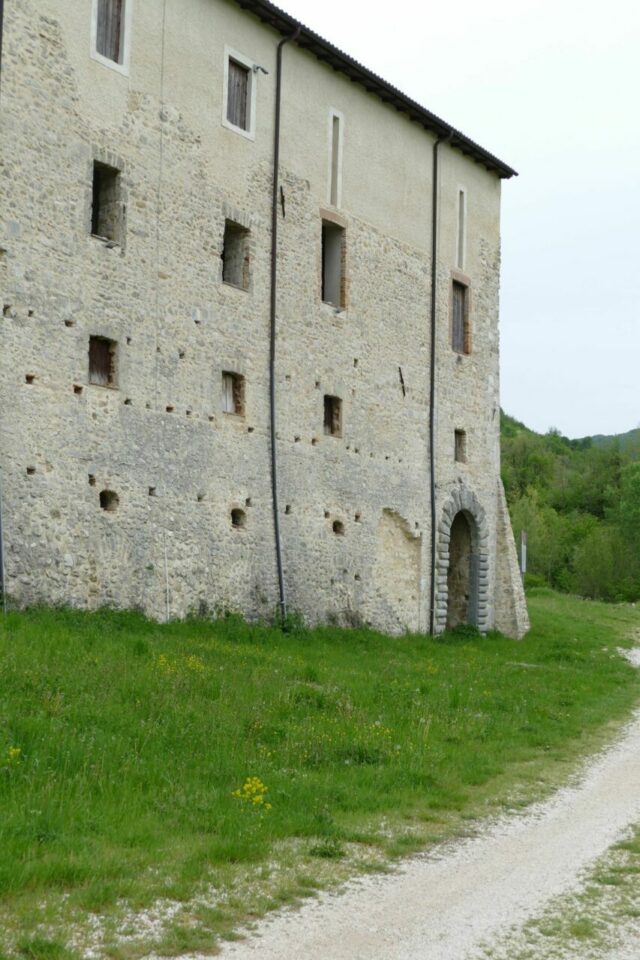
x=272, y=329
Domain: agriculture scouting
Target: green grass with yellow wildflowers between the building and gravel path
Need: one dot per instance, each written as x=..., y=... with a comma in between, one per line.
x=224, y=768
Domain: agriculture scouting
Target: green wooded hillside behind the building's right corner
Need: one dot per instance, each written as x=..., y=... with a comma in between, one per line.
x=579, y=501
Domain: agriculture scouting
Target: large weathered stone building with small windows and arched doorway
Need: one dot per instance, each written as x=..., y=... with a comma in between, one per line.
x=249, y=329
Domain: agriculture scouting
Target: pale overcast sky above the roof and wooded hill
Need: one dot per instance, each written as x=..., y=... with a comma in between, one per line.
x=552, y=87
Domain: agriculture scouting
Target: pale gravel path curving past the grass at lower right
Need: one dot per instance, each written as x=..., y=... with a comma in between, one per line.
x=446, y=904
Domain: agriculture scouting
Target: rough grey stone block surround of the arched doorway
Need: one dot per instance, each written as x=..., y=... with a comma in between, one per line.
x=463, y=499
